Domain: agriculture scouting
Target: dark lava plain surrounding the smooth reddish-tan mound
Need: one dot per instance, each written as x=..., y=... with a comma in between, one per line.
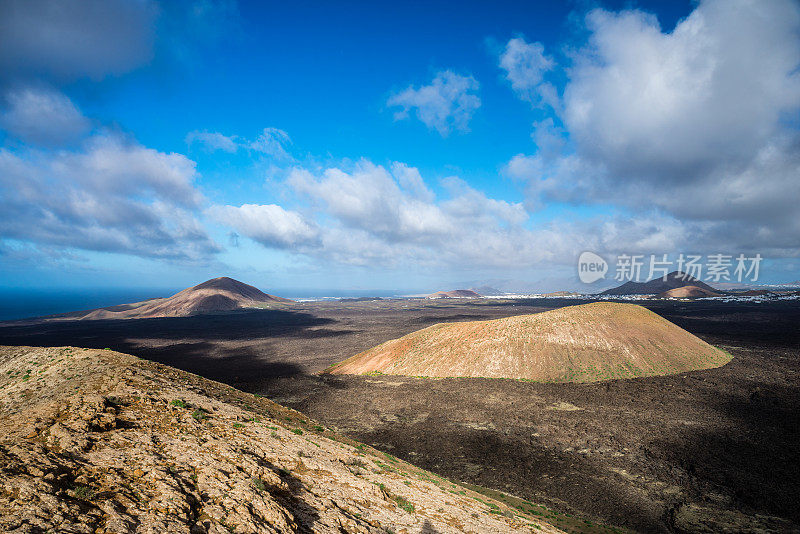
x=652, y=454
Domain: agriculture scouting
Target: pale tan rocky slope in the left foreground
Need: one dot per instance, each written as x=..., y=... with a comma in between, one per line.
x=98, y=441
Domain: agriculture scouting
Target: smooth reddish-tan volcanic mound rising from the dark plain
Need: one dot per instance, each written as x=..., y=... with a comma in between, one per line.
x=584, y=343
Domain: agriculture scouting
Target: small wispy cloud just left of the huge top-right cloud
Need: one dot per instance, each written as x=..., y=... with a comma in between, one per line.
x=525, y=65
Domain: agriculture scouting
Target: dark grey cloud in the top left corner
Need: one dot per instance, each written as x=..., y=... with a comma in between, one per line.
x=92, y=38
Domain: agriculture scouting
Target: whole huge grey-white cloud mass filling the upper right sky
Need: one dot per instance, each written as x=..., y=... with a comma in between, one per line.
x=692, y=123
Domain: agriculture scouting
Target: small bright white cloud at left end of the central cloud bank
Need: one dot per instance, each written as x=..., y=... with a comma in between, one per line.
x=268, y=224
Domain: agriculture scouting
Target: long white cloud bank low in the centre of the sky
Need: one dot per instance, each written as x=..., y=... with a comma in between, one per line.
x=367, y=214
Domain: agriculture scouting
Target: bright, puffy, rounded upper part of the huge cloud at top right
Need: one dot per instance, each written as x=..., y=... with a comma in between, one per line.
x=711, y=91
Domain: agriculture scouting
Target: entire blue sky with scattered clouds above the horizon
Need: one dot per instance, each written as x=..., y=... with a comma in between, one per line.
x=415, y=146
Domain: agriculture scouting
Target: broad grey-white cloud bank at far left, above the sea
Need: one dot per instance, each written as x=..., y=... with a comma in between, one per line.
x=110, y=195
